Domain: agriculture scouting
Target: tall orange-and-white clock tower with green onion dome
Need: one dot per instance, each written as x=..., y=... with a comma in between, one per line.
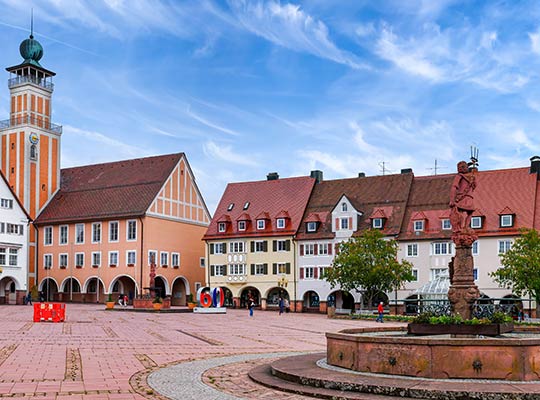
x=29, y=141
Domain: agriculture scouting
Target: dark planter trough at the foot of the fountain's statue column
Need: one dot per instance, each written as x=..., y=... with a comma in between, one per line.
x=460, y=329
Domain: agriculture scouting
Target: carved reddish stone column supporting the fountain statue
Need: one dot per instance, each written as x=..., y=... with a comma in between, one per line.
x=463, y=292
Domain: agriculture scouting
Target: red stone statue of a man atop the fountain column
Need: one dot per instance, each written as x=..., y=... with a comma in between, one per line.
x=461, y=198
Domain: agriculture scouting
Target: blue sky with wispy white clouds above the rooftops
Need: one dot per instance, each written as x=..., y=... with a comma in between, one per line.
x=247, y=87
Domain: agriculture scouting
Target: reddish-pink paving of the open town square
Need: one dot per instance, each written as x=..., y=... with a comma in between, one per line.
x=98, y=354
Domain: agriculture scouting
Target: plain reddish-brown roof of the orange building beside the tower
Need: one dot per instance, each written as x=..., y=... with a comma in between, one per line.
x=119, y=189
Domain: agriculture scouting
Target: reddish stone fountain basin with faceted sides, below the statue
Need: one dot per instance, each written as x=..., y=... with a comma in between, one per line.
x=513, y=356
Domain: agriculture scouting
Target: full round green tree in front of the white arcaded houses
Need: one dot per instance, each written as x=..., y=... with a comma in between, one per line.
x=368, y=263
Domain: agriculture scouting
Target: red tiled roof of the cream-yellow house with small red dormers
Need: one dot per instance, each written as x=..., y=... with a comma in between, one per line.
x=267, y=199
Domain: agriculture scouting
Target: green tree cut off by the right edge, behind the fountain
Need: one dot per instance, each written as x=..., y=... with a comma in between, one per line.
x=520, y=271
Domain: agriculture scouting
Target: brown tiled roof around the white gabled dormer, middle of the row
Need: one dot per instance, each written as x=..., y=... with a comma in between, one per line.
x=367, y=194
